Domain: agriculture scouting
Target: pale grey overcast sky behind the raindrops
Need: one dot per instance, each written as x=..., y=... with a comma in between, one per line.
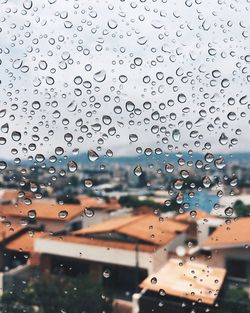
x=81, y=59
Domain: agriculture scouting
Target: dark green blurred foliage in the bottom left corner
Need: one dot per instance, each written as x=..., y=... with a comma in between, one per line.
x=56, y=295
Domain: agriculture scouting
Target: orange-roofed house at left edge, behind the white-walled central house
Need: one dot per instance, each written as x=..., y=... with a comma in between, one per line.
x=45, y=214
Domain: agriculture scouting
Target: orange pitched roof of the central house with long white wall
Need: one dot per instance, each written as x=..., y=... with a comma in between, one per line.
x=144, y=227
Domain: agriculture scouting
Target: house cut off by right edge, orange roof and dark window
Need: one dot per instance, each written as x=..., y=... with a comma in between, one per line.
x=228, y=247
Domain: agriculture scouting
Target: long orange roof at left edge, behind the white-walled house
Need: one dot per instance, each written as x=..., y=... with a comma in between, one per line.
x=44, y=210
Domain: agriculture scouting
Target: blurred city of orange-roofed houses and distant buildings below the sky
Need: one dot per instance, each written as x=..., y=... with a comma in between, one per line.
x=169, y=238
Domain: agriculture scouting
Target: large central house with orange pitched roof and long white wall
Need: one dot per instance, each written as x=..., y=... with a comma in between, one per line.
x=119, y=252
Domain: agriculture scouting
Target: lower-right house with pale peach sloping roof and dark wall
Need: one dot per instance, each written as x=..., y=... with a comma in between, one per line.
x=177, y=285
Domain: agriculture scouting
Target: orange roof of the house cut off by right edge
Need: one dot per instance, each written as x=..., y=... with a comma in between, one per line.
x=237, y=233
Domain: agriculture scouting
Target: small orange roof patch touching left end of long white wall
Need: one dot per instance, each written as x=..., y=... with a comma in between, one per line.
x=25, y=242
